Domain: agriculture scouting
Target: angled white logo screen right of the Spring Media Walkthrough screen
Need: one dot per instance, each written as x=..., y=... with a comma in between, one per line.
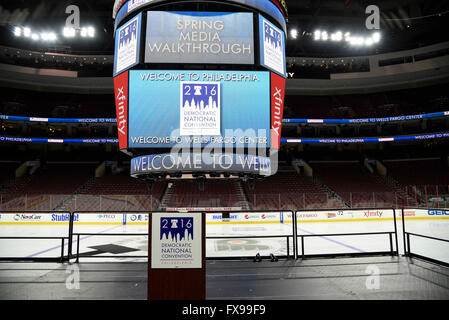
x=272, y=47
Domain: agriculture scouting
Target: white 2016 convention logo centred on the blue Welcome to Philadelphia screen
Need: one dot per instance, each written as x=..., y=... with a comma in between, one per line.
x=200, y=108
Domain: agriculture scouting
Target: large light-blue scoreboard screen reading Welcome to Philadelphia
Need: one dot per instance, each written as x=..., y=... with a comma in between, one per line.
x=223, y=108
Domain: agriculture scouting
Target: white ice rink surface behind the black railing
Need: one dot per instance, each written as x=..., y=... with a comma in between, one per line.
x=99, y=243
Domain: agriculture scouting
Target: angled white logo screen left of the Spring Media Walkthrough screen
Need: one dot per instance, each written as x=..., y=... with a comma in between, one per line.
x=127, y=45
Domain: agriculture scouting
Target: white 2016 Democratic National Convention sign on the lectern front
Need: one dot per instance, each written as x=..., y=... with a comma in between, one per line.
x=176, y=241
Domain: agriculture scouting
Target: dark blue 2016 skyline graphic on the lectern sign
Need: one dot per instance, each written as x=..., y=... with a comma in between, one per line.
x=176, y=229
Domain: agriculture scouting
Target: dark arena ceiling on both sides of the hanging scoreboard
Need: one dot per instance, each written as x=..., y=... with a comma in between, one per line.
x=404, y=24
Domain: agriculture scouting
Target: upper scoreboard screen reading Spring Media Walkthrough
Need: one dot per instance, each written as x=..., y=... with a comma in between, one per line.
x=199, y=37
